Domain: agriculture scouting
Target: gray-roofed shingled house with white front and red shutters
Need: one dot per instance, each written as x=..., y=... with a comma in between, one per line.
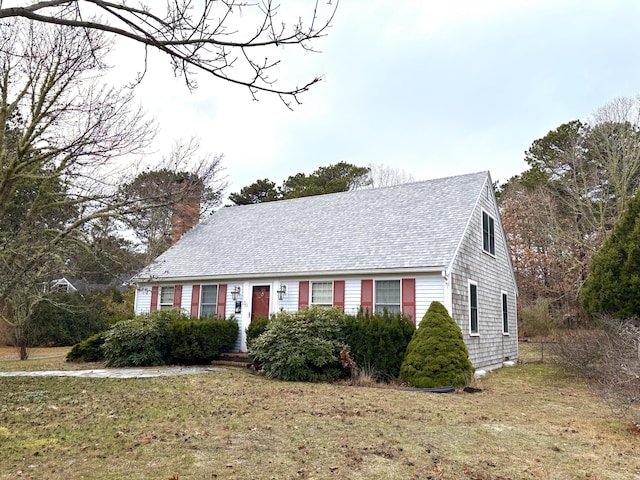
x=398, y=248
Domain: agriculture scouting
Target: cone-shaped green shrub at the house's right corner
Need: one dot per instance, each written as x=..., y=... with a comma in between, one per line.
x=436, y=355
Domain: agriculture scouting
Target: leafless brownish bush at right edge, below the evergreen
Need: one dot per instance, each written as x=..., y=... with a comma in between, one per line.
x=609, y=357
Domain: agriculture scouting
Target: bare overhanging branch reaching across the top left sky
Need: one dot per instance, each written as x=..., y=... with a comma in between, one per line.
x=235, y=40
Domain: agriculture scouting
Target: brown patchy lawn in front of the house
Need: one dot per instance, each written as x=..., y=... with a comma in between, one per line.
x=528, y=422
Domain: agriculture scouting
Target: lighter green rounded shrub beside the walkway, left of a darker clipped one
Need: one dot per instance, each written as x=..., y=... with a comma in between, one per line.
x=140, y=341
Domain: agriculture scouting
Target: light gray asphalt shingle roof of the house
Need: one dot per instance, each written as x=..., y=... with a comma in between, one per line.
x=409, y=226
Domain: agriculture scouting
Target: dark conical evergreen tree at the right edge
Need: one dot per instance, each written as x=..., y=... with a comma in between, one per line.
x=613, y=283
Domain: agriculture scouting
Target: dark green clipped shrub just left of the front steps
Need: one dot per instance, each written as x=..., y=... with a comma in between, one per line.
x=197, y=342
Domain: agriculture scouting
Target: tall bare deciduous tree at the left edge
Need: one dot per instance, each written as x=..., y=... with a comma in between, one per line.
x=58, y=127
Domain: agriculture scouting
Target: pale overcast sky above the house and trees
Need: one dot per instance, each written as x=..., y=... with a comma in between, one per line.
x=434, y=88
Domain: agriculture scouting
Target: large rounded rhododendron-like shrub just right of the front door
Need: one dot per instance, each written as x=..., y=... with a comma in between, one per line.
x=301, y=346
